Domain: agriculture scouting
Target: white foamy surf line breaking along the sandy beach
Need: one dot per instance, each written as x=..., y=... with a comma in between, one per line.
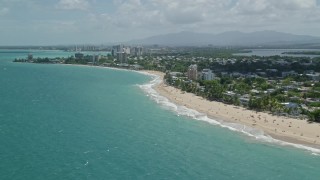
x=184, y=111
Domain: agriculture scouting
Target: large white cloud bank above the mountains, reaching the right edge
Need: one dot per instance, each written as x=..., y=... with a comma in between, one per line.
x=162, y=16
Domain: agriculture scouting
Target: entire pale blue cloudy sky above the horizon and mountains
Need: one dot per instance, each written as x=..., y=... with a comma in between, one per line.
x=56, y=22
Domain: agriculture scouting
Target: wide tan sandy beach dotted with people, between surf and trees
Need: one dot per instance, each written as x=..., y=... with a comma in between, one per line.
x=279, y=127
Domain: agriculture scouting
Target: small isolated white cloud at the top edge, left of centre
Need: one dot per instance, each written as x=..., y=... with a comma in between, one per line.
x=73, y=5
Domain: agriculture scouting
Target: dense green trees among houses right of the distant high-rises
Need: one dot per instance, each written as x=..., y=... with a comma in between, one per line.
x=269, y=89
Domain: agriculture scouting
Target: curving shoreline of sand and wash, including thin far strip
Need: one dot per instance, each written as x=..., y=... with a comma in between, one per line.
x=282, y=130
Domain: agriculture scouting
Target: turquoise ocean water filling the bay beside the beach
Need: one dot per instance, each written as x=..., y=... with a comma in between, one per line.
x=71, y=122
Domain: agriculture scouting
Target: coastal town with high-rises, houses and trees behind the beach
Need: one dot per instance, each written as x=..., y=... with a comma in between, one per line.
x=282, y=85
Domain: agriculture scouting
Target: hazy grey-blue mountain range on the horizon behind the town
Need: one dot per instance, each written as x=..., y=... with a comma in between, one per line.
x=234, y=38
